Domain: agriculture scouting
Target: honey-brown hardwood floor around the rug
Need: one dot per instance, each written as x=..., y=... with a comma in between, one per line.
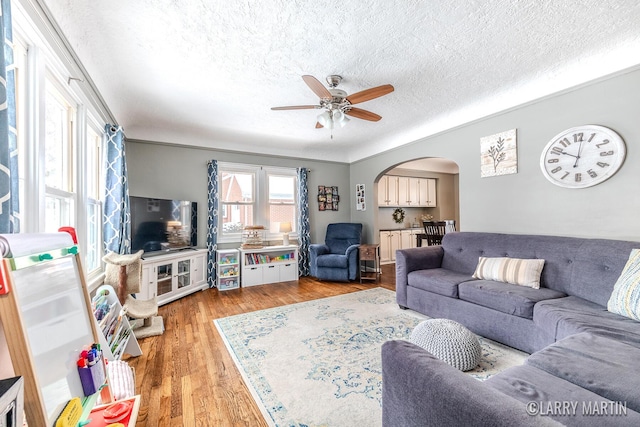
x=187, y=377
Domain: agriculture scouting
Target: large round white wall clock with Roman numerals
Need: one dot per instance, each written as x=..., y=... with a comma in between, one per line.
x=582, y=156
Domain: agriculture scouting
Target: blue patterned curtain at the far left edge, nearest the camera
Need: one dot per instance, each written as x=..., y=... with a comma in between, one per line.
x=9, y=190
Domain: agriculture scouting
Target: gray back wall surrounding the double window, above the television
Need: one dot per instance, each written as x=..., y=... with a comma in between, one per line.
x=178, y=172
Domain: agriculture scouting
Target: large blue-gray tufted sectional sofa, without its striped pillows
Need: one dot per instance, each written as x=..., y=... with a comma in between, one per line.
x=582, y=353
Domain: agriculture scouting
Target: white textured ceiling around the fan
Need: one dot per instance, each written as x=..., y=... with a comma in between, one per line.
x=206, y=73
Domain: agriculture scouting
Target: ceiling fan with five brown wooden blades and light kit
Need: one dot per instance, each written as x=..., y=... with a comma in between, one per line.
x=337, y=104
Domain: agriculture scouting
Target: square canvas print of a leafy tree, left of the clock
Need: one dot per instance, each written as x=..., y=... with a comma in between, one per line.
x=499, y=154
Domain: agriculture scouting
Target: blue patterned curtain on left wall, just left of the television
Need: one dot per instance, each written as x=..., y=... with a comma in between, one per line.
x=117, y=214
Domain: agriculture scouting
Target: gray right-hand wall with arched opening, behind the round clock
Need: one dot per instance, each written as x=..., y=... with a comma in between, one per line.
x=526, y=203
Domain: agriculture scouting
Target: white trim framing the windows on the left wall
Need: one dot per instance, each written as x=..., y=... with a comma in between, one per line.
x=47, y=54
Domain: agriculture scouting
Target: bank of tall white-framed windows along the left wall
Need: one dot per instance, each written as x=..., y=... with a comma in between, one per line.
x=59, y=127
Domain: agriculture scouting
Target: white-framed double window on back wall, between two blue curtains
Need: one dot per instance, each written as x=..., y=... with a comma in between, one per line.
x=253, y=195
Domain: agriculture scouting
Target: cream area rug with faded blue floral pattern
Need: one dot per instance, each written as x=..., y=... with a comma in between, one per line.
x=317, y=363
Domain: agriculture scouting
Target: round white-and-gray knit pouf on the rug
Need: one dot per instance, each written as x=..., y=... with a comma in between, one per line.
x=449, y=341
